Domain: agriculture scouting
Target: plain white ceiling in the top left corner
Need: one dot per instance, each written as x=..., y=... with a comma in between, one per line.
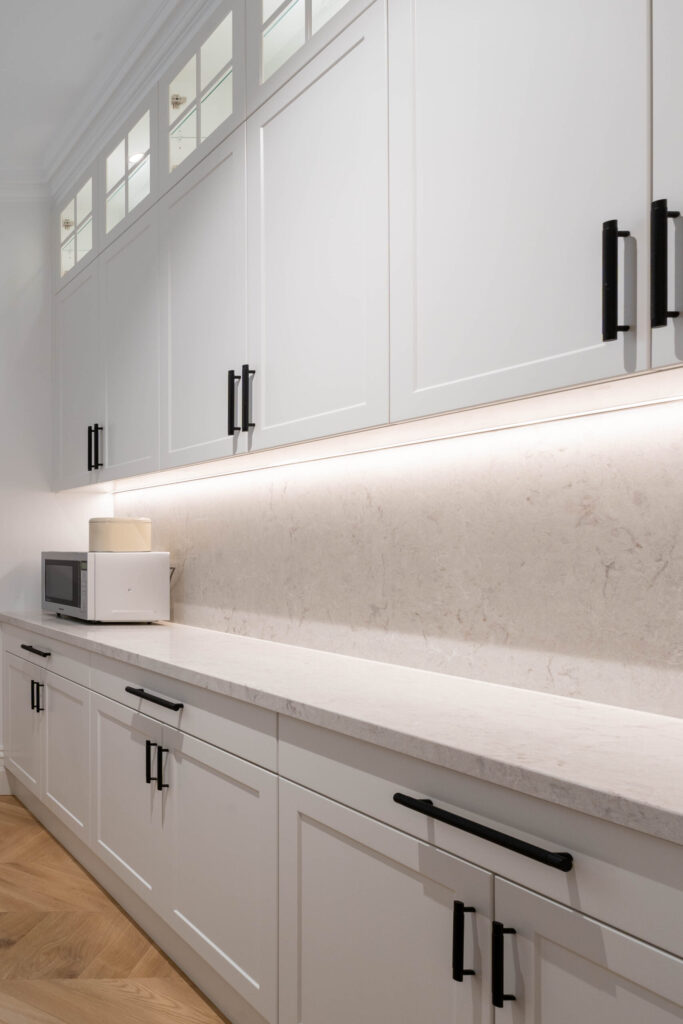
x=55, y=57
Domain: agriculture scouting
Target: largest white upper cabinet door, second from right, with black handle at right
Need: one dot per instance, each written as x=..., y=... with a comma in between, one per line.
x=517, y=131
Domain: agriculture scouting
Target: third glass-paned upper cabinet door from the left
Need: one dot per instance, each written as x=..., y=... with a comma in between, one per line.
x=201, y=95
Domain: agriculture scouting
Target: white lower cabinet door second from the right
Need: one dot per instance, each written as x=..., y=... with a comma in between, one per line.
x=375, y=925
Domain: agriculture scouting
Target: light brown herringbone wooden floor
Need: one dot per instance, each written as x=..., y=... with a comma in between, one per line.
x=68, y=953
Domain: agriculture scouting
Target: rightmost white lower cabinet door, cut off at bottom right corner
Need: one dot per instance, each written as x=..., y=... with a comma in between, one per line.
x=564, y=968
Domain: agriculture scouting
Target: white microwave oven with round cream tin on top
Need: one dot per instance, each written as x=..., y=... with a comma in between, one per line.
x=108, y=586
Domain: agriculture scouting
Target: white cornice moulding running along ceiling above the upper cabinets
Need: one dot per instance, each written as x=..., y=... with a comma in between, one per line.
x=120, y=89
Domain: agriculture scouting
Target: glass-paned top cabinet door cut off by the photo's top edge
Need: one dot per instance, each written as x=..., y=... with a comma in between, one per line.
x=284, y=35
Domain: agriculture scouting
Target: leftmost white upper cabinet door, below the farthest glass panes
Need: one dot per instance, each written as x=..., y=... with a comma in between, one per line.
x=78, y=362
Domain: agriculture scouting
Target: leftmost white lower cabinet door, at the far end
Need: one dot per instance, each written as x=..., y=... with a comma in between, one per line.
x=23, y=724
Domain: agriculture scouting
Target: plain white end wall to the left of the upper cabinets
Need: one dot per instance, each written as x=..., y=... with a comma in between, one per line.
x=32, y=519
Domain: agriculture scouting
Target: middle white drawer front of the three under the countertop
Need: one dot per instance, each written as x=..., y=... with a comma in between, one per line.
x=235, y=727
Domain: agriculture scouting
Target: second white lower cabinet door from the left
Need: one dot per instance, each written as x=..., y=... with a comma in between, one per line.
x=66, y=788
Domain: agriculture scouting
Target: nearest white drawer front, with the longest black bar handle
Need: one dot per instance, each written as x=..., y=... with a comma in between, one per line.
x=624, y=878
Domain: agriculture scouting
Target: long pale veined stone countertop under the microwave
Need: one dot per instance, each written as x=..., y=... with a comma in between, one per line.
x=622, y=765
